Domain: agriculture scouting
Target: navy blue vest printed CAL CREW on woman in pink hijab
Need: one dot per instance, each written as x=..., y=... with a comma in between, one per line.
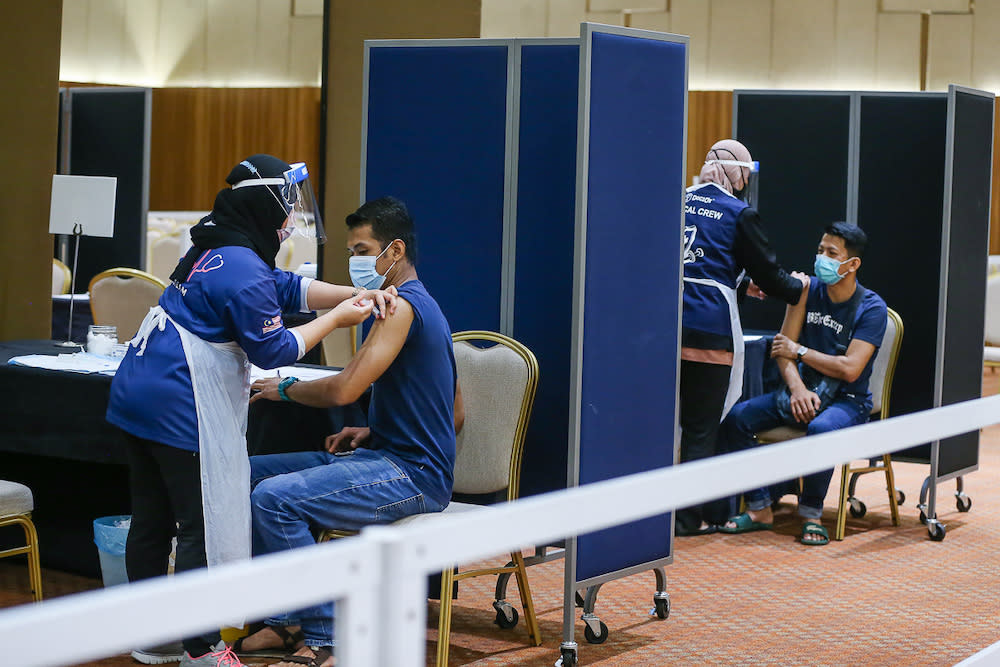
x=709, y=234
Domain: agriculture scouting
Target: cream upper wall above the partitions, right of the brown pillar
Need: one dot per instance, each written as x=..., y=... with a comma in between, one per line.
x=824, y=44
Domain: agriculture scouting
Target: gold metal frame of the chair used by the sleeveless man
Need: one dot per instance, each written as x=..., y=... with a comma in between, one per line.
x=516, y=565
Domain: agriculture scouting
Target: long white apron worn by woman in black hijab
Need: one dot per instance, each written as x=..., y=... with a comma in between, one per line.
x=220, y=378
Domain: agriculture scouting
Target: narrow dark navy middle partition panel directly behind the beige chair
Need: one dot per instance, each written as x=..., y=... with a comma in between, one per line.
x=546, y=203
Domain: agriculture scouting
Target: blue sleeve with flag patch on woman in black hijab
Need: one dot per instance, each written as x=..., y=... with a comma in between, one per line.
x=254, y=317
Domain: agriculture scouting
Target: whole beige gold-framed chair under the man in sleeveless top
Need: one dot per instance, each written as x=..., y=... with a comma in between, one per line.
x=498, y=390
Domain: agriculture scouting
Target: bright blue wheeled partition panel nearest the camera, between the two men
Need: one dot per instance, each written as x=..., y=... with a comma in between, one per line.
x=623, y=415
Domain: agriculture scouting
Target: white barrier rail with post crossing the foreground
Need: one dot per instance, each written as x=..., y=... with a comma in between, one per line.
x=381, y=574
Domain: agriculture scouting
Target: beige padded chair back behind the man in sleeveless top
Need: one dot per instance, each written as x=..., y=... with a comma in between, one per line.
x=498, y=390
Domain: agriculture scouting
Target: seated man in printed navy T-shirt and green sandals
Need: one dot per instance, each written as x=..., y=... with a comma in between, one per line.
x=833, y=334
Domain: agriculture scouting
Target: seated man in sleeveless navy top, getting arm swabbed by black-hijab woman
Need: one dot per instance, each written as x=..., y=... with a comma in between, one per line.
x=402, y=464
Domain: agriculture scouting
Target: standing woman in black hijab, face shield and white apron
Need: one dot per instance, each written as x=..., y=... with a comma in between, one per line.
x=182, y=390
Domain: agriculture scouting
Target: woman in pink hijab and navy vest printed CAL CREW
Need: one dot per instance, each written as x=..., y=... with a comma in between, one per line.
x=723, y=240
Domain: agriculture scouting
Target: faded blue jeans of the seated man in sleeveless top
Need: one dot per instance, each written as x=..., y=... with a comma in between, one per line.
x=301, y=491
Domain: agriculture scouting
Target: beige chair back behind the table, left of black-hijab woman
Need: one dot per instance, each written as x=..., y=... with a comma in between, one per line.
x=122, y=298
